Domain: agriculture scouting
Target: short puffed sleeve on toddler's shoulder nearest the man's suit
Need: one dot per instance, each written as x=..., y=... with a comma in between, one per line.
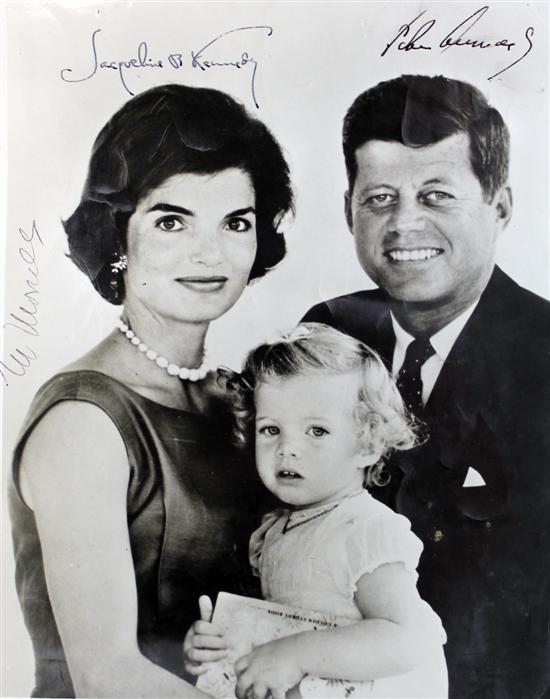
x=386, y=539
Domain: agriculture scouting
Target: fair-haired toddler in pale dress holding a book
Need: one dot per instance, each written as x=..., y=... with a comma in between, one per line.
x=323, y=414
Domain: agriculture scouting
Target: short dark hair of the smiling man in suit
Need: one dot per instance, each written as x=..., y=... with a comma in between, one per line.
x=418, y=110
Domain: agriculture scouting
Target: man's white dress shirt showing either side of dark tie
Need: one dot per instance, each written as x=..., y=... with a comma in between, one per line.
x=442, y=342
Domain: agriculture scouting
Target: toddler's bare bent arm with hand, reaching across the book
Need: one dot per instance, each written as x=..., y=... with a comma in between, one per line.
x=392, y=639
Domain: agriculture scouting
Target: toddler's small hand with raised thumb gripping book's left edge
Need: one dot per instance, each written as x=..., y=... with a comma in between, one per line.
x=204, y=642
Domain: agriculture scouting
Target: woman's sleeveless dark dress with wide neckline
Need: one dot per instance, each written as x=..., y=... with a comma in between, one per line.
x=191, y=507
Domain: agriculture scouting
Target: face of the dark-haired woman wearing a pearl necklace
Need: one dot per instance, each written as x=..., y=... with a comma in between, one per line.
x=191, y=243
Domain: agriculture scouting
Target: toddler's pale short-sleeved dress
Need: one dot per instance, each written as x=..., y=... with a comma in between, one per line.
x=313, y=559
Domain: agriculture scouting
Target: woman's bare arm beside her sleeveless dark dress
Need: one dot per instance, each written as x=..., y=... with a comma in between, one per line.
x=74, y=474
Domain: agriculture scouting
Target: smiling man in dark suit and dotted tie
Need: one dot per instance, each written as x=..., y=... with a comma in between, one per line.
x=427, y=166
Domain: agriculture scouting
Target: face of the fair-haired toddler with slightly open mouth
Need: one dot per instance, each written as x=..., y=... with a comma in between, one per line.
x=307, y=447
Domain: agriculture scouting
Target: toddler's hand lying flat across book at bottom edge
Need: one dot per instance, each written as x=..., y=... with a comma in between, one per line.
x=270, y=669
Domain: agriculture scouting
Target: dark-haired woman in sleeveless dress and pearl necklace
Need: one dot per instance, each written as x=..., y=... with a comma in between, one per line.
x=126, y=501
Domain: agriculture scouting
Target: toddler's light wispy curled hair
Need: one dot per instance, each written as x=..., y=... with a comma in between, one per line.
x=314, y=349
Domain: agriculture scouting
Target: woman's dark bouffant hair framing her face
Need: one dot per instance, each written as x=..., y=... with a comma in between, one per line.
x=165, y=131
